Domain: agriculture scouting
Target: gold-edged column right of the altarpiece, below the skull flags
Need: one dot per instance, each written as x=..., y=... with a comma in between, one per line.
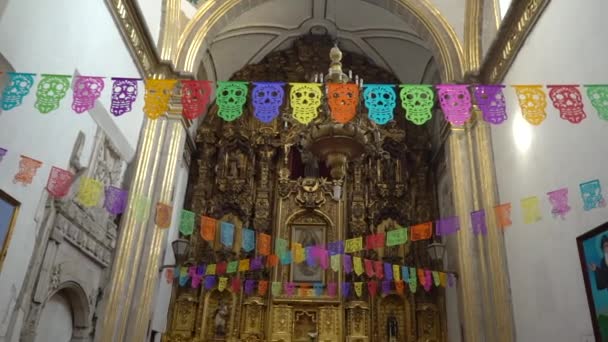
x=483, y=284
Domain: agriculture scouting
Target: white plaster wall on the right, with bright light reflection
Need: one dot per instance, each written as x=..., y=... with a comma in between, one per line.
x=549, y=298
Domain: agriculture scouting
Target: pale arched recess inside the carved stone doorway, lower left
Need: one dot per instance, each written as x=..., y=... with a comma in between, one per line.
x=56, y=321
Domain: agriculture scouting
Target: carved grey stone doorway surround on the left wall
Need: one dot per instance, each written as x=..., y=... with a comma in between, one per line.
x=75, y=245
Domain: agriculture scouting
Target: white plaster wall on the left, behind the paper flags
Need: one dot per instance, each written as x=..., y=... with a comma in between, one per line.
x=61, y=36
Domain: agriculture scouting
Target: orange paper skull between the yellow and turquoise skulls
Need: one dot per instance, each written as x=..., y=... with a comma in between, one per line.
x=343, y=101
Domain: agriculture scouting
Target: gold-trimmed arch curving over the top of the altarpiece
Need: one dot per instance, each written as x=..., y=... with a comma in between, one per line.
x=429, y=24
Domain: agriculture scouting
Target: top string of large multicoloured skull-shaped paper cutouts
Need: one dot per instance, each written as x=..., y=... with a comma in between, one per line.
x=268, y=98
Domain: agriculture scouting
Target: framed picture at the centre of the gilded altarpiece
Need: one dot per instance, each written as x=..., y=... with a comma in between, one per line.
x=307, y=235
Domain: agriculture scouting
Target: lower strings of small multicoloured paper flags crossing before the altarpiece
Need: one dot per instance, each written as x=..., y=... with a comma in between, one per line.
x=336, y=255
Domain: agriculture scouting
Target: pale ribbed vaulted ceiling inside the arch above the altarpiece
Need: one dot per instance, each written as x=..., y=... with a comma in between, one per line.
x=360, y=27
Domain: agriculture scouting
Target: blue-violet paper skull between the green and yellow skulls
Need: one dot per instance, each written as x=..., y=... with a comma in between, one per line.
x=267, y=99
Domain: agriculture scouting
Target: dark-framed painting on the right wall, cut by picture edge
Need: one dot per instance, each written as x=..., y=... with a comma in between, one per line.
x=593, y=252
